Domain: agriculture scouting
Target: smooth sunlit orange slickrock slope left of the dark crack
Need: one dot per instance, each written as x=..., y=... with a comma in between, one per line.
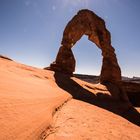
x=28, y=98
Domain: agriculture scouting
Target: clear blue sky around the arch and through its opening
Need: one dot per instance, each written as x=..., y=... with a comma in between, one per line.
x=31, y=32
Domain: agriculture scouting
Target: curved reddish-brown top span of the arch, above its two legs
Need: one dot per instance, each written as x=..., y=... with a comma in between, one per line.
x=87, y=23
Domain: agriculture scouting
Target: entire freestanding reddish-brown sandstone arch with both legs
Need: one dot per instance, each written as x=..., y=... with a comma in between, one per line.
x=88, y=23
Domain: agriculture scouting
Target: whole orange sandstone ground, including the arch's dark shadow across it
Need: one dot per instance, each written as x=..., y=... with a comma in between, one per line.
x=37, y=104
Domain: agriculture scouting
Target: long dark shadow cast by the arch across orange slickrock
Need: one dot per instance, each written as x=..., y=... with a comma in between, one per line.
x=122, y=108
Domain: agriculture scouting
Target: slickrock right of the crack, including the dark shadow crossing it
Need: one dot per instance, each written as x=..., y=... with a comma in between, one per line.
x=93, y=115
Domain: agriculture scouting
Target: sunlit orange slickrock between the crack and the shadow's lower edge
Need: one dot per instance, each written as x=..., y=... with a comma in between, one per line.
x=78, y=120
